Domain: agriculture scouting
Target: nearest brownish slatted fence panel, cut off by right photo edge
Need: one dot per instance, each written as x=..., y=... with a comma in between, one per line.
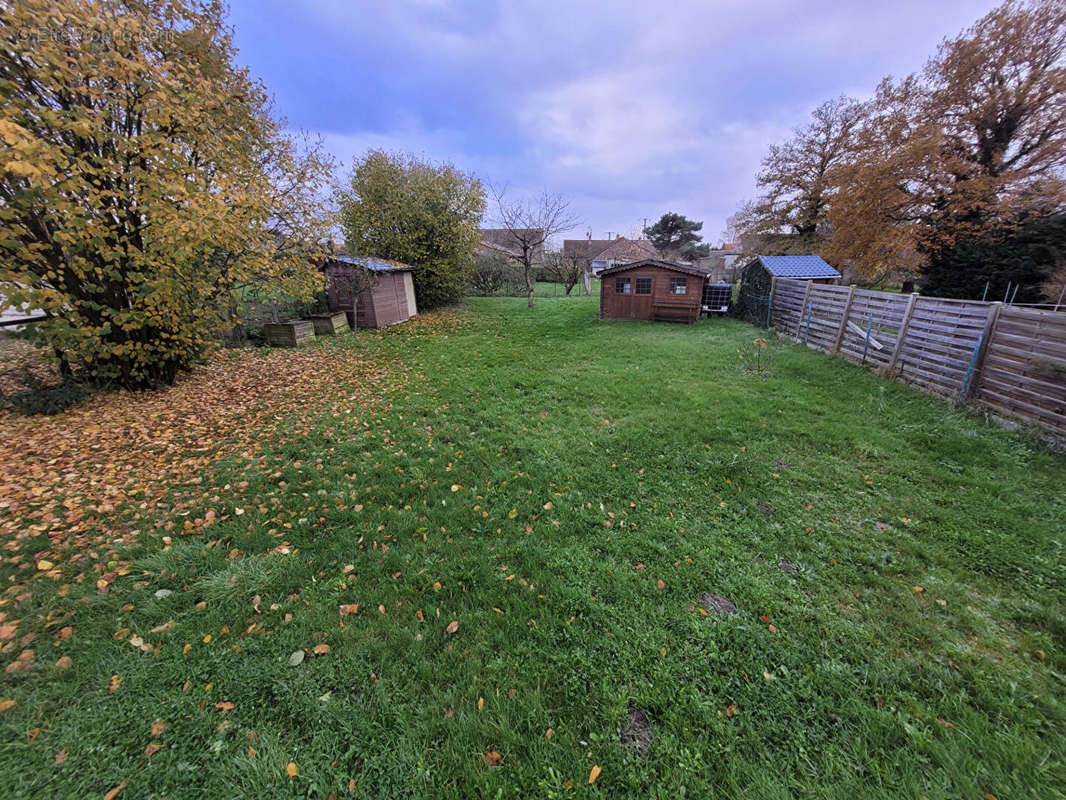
x=1024, y=375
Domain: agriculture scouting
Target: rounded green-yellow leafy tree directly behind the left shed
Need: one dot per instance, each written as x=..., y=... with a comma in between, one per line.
x=400, y=207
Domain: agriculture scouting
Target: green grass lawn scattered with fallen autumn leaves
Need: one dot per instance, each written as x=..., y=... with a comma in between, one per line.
x=567, y=490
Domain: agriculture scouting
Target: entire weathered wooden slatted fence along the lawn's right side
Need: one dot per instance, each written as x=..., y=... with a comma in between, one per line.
x=1009, y=360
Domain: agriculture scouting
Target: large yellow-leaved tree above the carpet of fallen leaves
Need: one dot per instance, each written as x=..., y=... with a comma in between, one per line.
x=144, y=181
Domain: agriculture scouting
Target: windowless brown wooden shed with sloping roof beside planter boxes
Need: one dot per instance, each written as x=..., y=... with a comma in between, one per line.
x=375, y=293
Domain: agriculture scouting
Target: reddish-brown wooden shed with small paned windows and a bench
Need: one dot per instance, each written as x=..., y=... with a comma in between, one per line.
x=653, y=290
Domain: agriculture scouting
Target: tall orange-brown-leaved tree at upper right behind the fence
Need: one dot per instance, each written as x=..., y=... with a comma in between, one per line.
x=964, y=151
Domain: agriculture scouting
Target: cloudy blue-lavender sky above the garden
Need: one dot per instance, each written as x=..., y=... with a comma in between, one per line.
x=631, y=109
